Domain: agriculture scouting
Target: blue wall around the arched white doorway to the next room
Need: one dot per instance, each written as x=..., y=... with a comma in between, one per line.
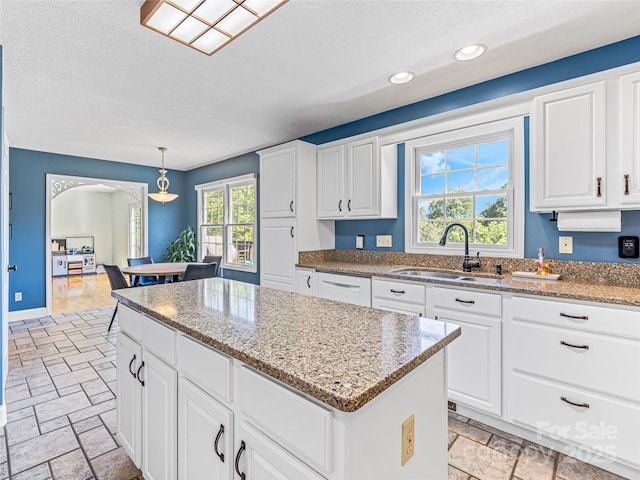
x=27, y=247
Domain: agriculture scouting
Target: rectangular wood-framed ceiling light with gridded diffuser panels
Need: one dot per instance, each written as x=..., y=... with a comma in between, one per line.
x=206, y=25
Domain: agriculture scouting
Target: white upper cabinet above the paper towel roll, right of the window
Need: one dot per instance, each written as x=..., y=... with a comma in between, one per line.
x=585, y=147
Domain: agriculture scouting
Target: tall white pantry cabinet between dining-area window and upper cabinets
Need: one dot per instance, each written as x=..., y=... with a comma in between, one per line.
x=287, y=211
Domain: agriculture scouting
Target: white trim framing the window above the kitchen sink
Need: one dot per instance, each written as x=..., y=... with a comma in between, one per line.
x=514, y=126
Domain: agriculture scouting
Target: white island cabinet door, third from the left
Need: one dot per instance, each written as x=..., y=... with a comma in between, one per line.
x=205, y=439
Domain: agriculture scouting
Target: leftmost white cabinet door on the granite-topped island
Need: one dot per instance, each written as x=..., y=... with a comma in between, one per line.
x=129, y=396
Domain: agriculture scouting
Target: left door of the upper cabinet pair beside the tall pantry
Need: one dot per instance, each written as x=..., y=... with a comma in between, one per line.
x=331, y=203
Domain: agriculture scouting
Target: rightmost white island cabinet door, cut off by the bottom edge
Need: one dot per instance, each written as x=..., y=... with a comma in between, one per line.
x=262, y=459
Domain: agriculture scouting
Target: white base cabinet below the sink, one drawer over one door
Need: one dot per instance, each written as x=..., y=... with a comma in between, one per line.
x=475, y=359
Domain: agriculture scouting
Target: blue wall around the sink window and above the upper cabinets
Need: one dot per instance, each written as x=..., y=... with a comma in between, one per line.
x=539, y=232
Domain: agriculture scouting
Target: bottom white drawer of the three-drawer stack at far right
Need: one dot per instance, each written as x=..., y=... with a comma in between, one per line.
x=607, y=426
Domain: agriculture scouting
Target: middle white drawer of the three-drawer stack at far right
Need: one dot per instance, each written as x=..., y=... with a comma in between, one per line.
x=606, y=364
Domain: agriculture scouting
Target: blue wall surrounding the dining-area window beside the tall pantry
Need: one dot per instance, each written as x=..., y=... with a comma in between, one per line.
x=242, y=165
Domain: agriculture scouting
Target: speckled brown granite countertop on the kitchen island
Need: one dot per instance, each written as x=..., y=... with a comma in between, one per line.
x=343, y=355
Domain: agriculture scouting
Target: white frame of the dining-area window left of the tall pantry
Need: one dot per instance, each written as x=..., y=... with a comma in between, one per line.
x=226, y=185
